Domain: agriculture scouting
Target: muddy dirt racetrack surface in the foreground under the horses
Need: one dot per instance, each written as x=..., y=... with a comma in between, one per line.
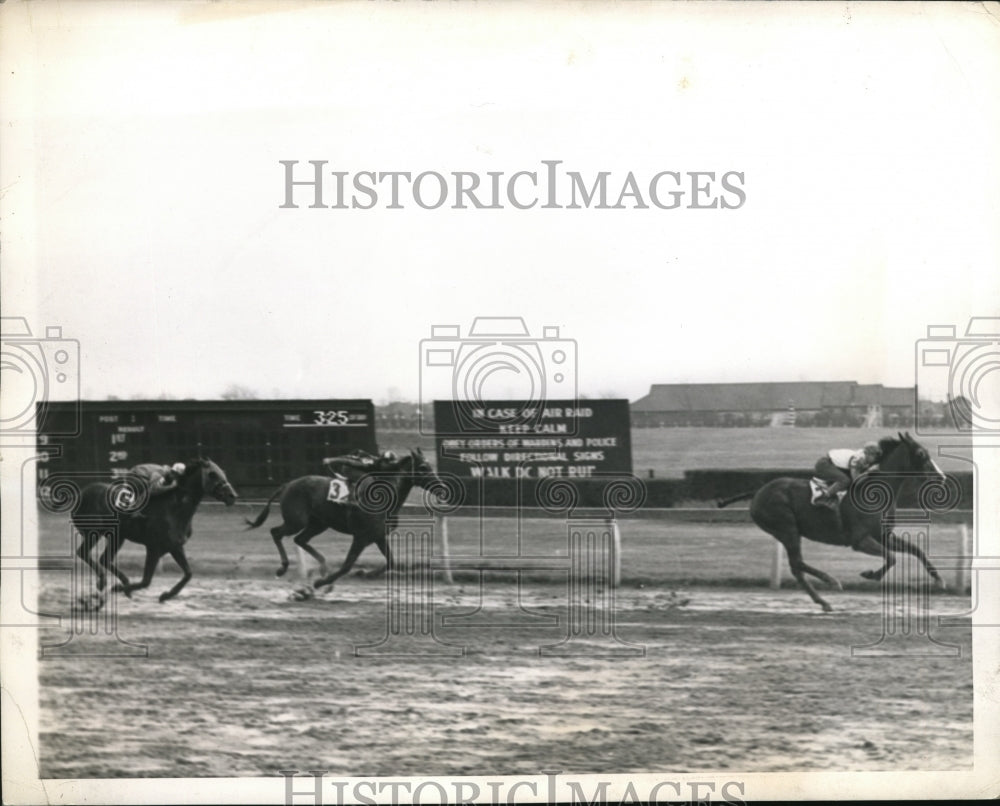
x=240, y=680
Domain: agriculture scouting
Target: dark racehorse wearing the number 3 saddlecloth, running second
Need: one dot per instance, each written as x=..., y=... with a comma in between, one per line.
x=306, y=511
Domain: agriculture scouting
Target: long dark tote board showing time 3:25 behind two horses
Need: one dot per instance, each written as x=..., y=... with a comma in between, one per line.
x=259, y=443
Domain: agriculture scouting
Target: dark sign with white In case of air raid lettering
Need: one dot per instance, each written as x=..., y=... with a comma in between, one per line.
x=507, y=439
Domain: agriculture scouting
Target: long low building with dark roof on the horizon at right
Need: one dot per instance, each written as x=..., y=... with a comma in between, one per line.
x=824, y=403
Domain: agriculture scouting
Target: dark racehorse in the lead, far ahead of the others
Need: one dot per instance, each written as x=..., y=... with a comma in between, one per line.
x=783, y=509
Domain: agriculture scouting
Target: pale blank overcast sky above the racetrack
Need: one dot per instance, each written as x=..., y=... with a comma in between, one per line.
x=142, y=181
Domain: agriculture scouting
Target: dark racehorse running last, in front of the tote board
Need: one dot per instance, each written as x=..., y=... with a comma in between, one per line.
x=163, y=525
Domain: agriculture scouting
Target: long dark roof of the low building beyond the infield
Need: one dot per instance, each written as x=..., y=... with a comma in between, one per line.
x=681, y=397
